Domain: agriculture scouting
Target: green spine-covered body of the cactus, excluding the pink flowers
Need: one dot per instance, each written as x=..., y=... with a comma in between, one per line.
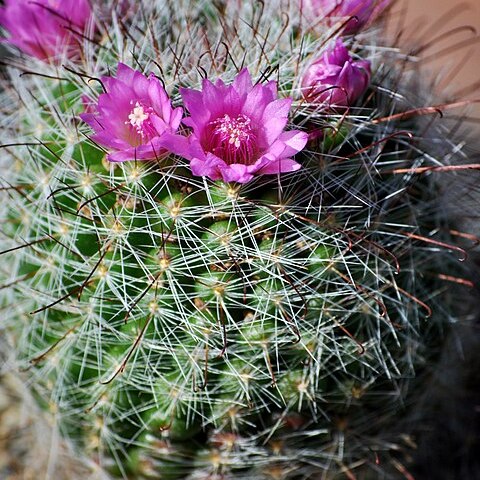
x=176, y=327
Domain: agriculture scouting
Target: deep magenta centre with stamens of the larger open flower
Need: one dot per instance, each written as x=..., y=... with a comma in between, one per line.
x=233, y=139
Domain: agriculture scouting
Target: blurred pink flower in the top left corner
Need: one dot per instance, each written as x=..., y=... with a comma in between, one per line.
x=46, y=28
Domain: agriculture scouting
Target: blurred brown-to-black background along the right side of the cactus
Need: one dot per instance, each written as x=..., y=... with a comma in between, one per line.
x=449, y=31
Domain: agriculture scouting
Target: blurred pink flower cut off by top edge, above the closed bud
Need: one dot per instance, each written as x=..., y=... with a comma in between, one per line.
x=360, y=12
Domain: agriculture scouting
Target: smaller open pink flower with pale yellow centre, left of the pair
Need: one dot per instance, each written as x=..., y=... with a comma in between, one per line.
x=133, y=116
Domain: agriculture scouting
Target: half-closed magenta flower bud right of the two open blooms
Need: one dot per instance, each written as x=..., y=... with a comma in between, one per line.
x=335, y=78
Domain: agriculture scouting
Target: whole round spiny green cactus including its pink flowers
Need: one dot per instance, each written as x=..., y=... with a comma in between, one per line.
x=222, y=253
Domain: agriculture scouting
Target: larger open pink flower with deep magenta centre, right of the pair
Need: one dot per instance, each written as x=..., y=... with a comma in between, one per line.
x=238, y=131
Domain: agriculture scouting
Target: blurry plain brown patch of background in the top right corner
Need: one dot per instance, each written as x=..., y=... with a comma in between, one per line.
x=445, y=23
